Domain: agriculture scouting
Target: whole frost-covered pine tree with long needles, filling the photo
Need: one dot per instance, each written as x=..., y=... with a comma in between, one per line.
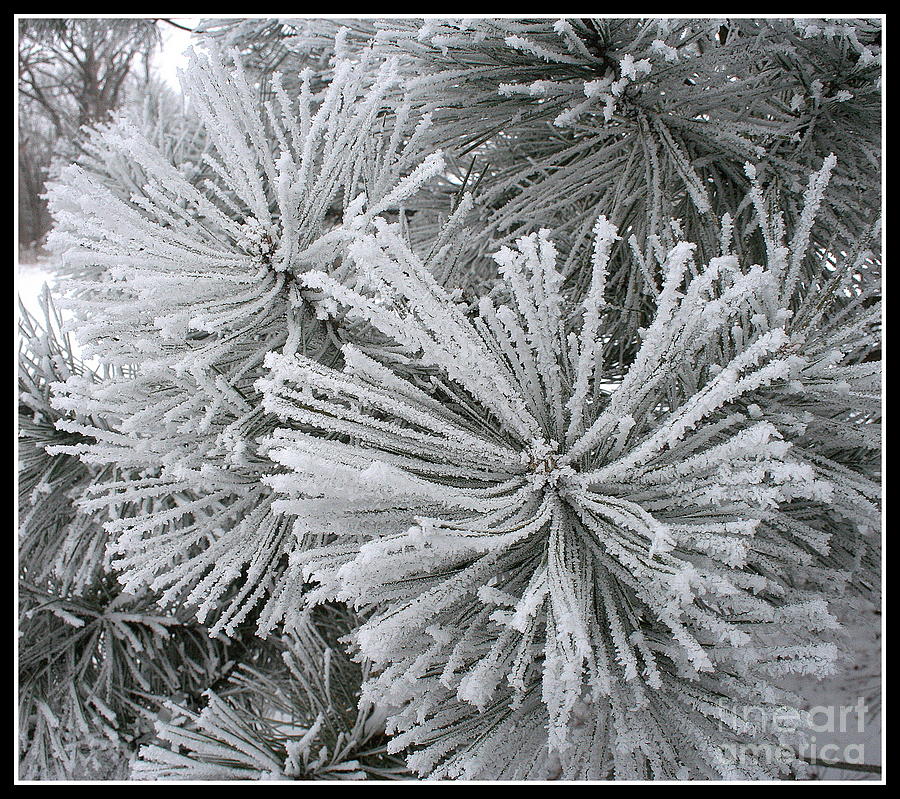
x=481, y=399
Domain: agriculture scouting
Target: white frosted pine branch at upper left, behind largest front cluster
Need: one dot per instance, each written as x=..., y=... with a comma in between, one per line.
x=200, y=283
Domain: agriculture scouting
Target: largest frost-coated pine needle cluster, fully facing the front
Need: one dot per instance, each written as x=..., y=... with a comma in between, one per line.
x=537, y=532
